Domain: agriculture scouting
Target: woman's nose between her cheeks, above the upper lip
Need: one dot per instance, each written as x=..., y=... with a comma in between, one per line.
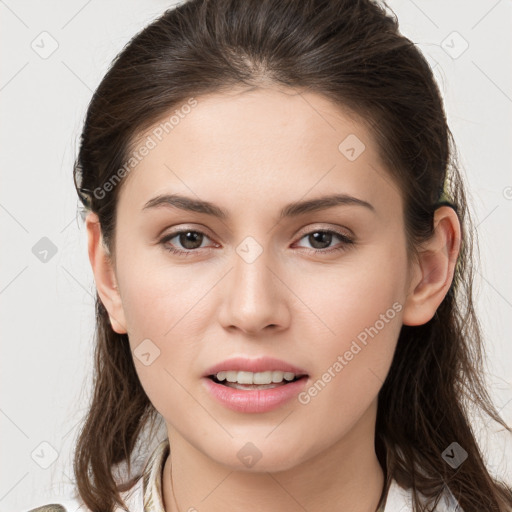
x=254, y=297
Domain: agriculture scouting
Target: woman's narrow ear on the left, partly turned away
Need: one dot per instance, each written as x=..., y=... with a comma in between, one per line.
x=104, y=275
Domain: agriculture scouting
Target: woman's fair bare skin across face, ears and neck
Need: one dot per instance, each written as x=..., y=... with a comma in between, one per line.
x=251, y=153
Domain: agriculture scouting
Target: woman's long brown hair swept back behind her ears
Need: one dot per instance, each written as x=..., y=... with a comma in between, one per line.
x=352, y=52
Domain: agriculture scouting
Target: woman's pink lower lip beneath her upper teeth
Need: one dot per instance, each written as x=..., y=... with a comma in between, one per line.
x=254, y=400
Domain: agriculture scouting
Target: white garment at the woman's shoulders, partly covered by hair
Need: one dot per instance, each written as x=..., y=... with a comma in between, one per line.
x=146, y=494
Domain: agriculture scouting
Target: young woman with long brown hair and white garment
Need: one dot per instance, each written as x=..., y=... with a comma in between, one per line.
x=281, y=248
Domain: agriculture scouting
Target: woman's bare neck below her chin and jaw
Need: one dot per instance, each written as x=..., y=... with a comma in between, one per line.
x=346, y=476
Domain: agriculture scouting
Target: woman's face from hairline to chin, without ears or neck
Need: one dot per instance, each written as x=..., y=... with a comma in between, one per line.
x=250, y=285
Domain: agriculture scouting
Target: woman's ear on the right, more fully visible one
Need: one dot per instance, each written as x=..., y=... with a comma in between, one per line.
x=432, y=273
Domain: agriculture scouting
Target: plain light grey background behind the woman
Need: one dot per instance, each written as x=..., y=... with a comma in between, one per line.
x=47, y=315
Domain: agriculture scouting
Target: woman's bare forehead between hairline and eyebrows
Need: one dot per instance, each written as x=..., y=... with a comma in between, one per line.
x=263, y=144
